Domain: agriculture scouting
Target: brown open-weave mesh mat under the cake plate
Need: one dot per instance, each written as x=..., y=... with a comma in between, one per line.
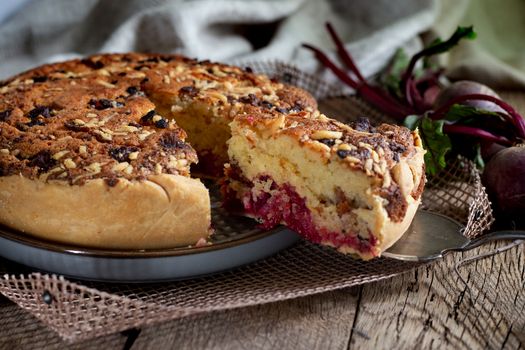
x=80, y=310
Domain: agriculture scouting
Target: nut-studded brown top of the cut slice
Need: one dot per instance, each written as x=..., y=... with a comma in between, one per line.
x=346, y=143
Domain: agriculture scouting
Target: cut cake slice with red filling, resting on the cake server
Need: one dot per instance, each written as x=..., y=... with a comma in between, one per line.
x=355, y=188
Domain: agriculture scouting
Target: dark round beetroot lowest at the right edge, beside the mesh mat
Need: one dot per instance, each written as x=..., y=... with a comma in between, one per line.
x=504, y=177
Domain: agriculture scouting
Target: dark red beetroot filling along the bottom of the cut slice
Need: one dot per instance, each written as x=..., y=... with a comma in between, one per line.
x=284, y=205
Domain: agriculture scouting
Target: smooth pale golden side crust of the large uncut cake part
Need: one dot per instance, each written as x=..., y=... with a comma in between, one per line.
x=163, y=211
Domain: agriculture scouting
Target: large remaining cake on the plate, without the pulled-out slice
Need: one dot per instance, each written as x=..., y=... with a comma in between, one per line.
x=93, y=152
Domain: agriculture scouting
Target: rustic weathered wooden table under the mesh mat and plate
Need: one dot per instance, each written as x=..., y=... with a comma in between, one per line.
x=427, y=308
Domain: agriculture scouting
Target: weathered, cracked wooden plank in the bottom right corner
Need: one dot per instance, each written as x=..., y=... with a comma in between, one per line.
x=432, y=308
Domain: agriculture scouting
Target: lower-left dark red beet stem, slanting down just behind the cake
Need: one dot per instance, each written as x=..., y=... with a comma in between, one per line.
x=368, y=93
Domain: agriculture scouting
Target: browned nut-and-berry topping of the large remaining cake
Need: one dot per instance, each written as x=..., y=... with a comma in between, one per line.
x=103, y=108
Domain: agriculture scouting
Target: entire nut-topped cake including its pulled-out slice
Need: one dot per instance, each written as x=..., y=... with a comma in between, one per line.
x=107, y=152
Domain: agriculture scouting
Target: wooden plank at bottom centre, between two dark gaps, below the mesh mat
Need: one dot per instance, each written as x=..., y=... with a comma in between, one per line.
x=315, y=322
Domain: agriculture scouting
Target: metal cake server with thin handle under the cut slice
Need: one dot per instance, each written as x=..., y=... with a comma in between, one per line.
x=432, y=235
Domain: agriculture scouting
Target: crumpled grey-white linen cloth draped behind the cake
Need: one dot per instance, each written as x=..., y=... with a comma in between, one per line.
x=41, y=31
